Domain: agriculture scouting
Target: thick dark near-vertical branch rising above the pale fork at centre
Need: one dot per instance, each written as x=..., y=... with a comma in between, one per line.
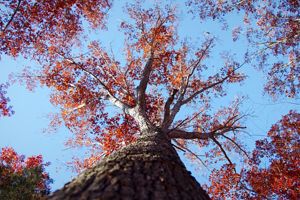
x=141, y=89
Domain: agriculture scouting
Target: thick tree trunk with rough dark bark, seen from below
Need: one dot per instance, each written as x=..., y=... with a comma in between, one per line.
x=147, y=169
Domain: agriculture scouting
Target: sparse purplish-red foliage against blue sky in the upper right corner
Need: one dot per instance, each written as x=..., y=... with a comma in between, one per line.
x=272, y=27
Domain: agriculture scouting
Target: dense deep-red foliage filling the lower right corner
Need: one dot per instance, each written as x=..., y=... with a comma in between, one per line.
x=273, y=169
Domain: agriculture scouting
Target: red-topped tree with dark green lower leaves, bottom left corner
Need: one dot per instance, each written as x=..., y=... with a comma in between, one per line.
x=22, y=178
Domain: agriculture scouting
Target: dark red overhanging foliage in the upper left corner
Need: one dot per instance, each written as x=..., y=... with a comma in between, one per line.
x=46, y=25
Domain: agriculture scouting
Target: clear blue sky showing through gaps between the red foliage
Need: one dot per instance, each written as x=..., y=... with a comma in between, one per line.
x=24, y=130
